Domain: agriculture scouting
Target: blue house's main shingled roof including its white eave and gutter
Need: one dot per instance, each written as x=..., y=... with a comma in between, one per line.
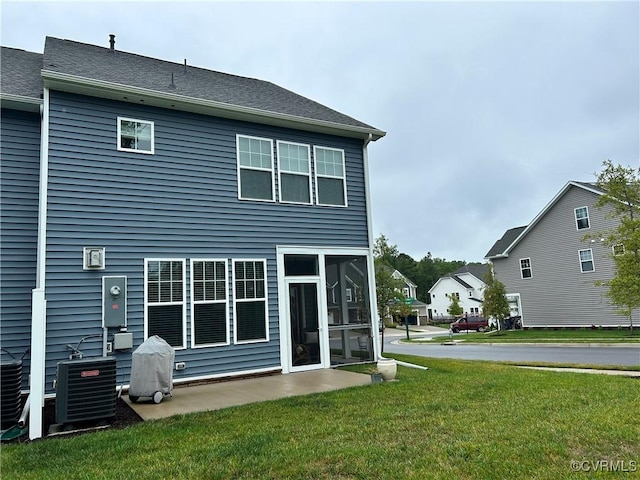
x=111, y=73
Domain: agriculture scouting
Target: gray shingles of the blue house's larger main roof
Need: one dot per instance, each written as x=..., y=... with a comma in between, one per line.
x=83, y=61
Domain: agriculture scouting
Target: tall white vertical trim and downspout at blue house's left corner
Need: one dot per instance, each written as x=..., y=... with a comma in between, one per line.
x=38, y=307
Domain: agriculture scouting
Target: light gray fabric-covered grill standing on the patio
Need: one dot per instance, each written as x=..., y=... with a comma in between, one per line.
x=152, y=368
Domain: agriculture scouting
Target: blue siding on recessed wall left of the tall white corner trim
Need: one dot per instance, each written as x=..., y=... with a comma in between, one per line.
x=19, y=187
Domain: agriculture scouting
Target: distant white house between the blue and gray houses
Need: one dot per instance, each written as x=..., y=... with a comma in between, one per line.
x=466, y=284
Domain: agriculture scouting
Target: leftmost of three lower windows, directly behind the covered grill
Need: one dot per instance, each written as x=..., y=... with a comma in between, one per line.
x=165, y=305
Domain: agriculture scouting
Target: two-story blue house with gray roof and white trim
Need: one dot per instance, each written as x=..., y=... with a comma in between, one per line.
x=142, y=197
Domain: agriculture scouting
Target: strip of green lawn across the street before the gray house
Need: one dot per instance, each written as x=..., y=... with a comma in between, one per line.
x=546, y=336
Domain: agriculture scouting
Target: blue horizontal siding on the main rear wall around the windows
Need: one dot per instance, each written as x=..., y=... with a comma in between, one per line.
x=181, y=202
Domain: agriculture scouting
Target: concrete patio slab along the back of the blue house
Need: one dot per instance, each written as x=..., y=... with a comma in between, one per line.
x=217, y=395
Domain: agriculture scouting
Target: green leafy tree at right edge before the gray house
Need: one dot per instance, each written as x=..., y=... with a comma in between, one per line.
x=621, y=187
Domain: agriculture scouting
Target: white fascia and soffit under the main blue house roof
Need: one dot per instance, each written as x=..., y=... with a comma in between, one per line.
x=114, y=91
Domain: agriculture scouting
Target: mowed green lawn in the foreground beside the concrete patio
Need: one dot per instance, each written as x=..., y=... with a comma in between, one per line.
x=458, y=420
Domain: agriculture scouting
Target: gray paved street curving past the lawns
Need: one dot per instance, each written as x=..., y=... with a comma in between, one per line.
x=597, y=355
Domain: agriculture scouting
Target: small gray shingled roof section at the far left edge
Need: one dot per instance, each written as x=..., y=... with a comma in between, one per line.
x=20, y=73
